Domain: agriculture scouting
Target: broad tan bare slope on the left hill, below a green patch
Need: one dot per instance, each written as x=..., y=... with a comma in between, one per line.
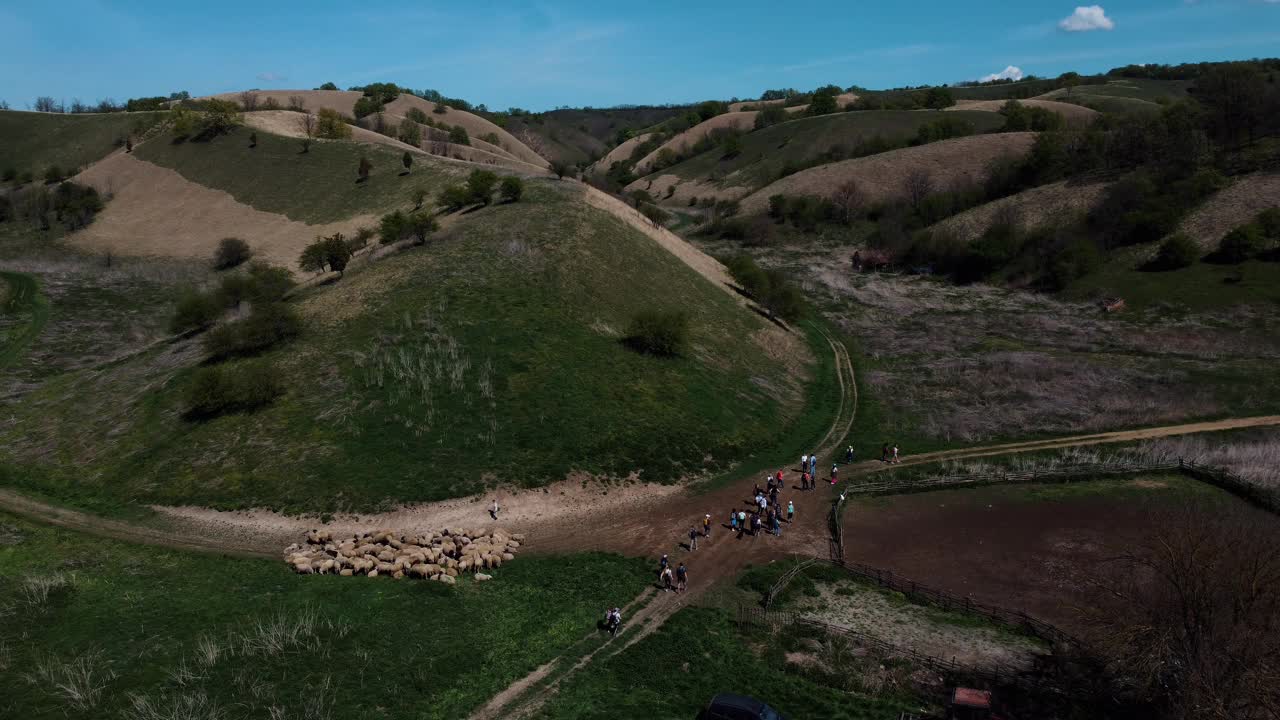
x=156, y=212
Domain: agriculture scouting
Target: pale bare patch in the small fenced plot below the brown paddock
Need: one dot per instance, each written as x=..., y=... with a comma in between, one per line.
x=860, y=608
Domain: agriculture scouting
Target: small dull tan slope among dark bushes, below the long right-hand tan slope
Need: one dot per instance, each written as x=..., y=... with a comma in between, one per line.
x=1028, y=209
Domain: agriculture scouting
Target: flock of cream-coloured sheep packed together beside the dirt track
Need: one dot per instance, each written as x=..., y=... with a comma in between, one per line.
x=438, y=557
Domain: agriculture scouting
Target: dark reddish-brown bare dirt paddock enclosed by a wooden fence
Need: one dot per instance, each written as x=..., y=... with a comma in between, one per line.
x=982, y=544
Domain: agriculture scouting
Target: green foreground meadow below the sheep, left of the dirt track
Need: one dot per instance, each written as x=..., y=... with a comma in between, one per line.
x=245, y=636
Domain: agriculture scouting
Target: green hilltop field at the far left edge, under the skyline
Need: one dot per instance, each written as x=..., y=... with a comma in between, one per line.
x=34, y=142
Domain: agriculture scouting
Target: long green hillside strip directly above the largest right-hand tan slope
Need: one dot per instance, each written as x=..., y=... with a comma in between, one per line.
x=769, y=153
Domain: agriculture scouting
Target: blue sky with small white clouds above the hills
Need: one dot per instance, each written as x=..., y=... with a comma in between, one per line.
x=538, y=56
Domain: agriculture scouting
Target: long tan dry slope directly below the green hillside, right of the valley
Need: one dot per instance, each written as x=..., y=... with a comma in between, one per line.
x=950, y=163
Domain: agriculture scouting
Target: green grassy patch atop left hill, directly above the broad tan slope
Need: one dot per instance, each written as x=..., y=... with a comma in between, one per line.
x=314, y=188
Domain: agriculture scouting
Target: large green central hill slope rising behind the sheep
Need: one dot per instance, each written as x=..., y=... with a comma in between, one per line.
x=492, y=356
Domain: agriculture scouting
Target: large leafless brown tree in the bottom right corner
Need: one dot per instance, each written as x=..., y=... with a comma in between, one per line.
x=1192, y=617
